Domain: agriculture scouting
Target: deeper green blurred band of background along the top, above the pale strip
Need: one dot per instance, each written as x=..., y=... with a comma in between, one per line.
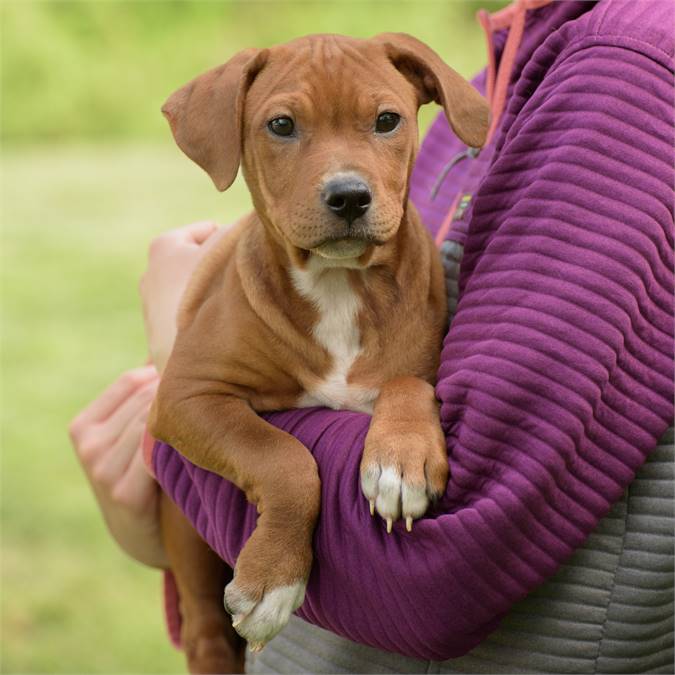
x=102, y=69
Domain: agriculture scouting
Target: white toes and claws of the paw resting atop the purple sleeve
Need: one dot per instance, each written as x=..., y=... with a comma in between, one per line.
x=392, y=496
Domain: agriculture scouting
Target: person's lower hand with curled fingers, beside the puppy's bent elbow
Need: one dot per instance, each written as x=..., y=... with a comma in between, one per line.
x=107, y=436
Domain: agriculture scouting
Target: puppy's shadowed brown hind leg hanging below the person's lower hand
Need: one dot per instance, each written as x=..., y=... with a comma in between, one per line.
x=210, y=643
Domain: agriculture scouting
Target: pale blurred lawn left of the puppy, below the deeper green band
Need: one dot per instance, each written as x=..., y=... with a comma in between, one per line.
x=76, y=224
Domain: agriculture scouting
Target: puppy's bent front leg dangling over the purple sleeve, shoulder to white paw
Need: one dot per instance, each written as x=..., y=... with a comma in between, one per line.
x=222, y=433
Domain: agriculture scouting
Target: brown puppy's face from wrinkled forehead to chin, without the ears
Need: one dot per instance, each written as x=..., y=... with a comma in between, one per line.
x=329, y=136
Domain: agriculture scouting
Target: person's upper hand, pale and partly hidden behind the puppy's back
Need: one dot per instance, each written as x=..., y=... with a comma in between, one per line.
x=172, y=257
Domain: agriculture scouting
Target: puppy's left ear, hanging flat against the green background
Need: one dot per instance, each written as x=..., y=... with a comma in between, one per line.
x=206, y=115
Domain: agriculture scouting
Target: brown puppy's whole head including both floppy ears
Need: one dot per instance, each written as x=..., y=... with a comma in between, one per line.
x=325, y=128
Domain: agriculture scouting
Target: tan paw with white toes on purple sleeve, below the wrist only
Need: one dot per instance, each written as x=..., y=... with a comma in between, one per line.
x=403, y=471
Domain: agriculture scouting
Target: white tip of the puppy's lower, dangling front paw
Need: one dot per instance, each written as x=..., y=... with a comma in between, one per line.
x=258, y=622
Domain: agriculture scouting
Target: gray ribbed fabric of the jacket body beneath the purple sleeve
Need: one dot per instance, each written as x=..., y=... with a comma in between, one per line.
x=608, y=610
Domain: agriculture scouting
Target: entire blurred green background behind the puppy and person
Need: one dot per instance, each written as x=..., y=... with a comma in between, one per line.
x=90, y=174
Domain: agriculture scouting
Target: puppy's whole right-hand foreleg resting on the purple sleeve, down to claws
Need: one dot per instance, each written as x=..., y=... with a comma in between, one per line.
x=404, y=464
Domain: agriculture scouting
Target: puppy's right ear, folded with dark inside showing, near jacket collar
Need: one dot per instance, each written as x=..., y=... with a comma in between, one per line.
x=466, y=110
